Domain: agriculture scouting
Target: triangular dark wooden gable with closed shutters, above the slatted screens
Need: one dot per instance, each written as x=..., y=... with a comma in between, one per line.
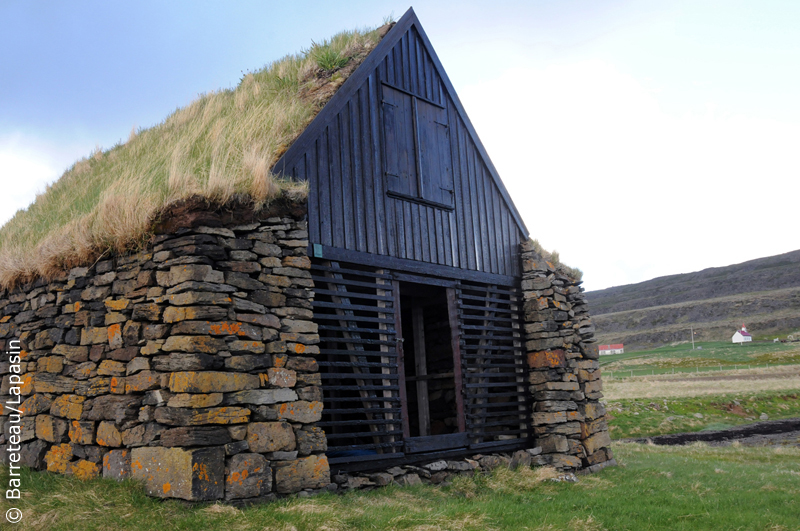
x=398, y=177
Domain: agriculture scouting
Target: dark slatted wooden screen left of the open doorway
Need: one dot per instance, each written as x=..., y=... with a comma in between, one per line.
x=354, y=309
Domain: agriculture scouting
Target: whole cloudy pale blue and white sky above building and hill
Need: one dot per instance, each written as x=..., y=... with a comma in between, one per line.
x=637, y=138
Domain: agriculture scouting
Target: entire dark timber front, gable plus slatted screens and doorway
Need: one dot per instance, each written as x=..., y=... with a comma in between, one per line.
x=415, y=249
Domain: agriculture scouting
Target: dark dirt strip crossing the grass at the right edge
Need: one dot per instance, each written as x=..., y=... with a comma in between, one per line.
x=767, y=433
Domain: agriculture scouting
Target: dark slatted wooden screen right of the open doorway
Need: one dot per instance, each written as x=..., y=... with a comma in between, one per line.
x=496, y=403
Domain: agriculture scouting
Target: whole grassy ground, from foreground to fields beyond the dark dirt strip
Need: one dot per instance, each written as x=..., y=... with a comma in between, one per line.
x=655, y=487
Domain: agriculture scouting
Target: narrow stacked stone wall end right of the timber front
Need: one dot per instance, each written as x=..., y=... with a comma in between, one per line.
x=569, y=421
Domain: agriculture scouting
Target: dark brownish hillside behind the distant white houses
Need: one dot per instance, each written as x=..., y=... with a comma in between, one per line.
x=764, y=294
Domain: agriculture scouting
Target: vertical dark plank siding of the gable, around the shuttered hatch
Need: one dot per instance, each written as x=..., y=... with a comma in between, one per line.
x=348, y=204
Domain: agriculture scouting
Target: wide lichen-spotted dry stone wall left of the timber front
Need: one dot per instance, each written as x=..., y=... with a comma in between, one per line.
x=189, y=366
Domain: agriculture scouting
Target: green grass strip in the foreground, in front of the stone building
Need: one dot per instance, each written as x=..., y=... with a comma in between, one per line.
x=680, y=488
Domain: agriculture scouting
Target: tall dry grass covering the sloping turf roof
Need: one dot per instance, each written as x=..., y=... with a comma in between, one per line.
x=220, y=146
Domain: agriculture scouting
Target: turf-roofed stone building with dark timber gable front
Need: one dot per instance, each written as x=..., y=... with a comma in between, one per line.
x=323, y=284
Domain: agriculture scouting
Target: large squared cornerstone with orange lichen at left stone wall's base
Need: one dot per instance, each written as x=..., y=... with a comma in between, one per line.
x=196, y=474
